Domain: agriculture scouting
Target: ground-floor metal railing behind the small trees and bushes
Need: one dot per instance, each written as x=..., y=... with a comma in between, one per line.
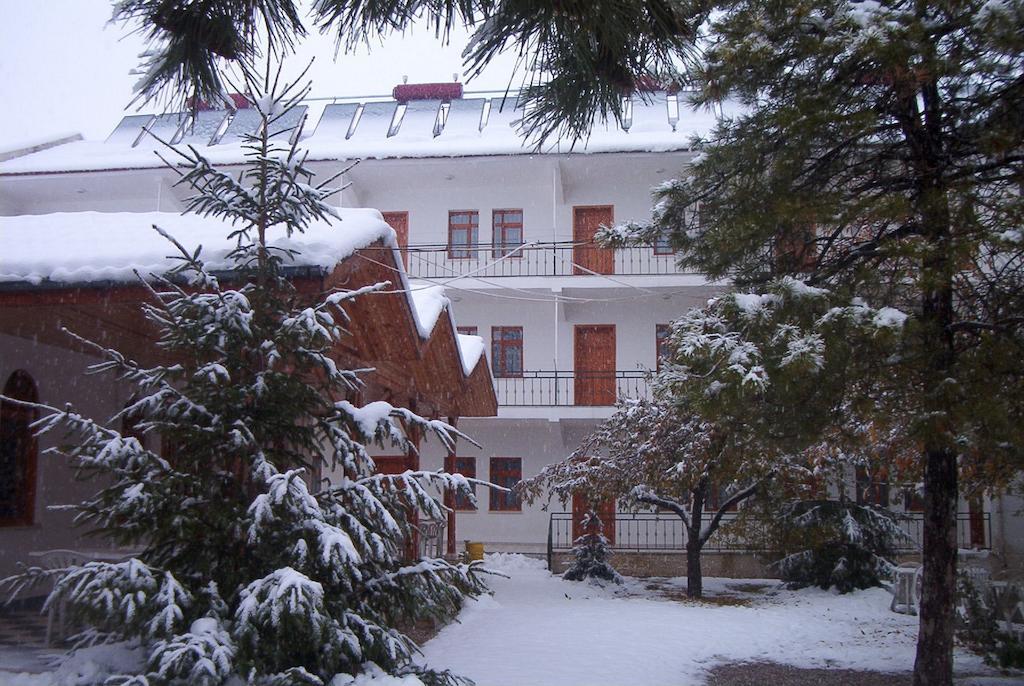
x=656, y=532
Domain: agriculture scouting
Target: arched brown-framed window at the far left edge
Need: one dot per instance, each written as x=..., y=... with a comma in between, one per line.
x=18, y=452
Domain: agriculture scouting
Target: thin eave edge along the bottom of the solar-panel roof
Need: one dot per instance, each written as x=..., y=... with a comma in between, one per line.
x=527, y=152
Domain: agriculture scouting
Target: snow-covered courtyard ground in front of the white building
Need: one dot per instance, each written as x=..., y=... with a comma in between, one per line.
x=542, y=631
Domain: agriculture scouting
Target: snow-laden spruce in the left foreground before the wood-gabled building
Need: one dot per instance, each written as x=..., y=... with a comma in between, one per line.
x=250, y=567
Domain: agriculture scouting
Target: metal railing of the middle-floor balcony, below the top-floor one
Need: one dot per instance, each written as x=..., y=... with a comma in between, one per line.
x=551, y=390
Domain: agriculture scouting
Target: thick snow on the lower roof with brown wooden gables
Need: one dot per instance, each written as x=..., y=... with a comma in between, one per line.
x=103, y=248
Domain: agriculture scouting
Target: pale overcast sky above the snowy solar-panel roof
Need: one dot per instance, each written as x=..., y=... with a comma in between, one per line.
x=65, y=70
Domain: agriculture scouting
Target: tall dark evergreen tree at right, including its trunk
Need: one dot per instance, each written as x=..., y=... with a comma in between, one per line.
x=880, y=156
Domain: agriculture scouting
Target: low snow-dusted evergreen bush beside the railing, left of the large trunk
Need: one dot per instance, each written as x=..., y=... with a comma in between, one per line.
x=836, y=544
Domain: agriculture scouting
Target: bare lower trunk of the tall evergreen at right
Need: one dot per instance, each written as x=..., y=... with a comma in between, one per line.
x=934, y=664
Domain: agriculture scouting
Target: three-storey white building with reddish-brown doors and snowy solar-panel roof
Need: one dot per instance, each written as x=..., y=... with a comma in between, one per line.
x=506, y=229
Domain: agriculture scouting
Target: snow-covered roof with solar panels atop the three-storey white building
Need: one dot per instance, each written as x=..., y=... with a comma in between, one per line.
x=475, y=126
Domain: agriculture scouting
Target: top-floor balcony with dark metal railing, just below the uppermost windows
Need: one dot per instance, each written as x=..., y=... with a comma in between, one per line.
x=536, y=260
